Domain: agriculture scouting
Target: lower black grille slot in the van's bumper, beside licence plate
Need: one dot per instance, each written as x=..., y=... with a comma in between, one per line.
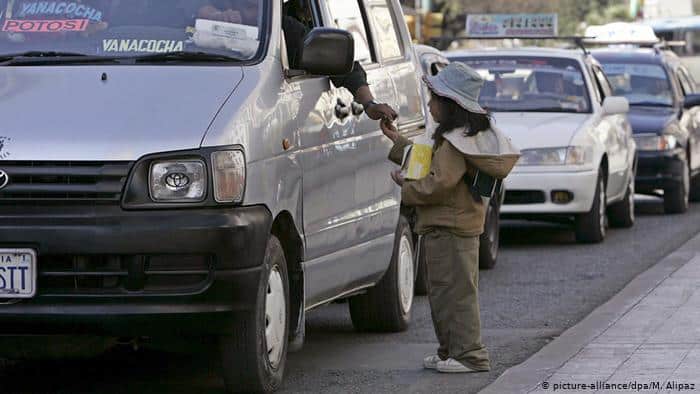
x=114, y=275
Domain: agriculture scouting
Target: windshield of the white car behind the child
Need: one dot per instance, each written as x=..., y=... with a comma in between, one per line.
x=531, y=84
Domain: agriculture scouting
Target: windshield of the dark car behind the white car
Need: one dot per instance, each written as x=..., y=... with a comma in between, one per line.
x=642, y=84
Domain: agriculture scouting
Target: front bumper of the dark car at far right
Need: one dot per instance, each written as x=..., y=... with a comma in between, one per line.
x=659, y=170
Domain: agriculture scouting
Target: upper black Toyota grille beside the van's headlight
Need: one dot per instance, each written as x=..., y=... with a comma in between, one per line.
x=63, y=182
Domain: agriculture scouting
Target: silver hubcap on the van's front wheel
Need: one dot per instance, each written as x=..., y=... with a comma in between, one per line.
x=275, y=317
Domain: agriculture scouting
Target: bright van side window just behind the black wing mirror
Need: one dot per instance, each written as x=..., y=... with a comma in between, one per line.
x=347, y=15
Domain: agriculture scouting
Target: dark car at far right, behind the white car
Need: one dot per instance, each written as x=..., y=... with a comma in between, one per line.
x=665, y=118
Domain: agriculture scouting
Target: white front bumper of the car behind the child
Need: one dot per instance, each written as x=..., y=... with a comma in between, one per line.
x=531, y=193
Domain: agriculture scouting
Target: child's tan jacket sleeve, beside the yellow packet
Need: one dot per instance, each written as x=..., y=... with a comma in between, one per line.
x=447, y=170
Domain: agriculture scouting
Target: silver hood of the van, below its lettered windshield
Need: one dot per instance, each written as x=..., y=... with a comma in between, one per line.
x=108, y=113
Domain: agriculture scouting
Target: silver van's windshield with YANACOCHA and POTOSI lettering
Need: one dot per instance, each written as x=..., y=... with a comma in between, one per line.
x=110, y=28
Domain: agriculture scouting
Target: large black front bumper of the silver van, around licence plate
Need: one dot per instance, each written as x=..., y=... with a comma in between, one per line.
x=106, y=270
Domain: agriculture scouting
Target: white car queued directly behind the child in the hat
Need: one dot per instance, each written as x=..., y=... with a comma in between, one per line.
x=578, y=156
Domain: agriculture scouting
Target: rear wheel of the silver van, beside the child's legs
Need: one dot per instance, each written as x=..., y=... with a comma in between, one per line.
x=387, y=306
